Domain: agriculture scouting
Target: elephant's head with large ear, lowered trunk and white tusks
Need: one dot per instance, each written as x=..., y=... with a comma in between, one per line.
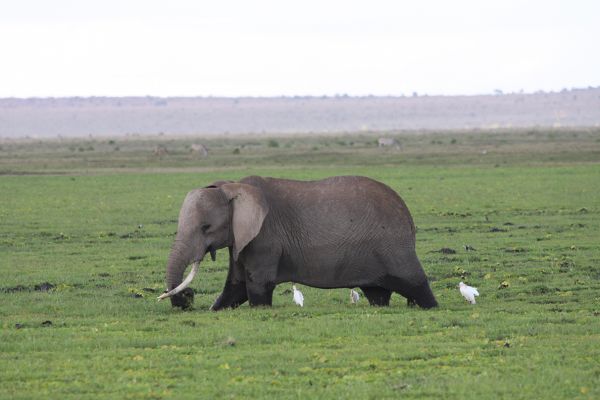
x=211, y=218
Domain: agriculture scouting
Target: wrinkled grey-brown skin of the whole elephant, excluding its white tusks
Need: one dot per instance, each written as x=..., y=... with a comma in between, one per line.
x=340, y=232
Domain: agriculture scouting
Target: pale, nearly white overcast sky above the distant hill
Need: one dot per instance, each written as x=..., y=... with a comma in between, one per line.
x=308, y=47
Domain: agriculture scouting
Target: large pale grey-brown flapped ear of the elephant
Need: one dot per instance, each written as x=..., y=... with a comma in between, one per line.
x=249, y=211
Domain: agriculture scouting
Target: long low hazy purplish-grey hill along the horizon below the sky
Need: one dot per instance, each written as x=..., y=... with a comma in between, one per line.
x=113, y=116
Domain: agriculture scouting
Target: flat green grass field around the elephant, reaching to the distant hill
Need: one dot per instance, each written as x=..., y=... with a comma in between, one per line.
x=97, y=224
